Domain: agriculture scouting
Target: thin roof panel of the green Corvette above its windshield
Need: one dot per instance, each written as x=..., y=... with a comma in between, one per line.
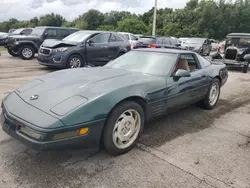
x=164, y=50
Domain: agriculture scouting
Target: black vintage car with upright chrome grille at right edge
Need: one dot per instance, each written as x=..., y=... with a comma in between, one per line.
x=237, y=51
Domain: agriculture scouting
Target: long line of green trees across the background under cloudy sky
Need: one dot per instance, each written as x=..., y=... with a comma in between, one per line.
x=204, y=18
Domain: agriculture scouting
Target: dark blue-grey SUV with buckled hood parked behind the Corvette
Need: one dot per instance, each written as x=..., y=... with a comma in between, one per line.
x=92, y=48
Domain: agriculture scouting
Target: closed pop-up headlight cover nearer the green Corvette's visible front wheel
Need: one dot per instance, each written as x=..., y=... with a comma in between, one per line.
x=68, y=105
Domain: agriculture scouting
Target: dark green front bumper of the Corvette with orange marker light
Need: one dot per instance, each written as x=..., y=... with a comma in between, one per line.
x=11, y=124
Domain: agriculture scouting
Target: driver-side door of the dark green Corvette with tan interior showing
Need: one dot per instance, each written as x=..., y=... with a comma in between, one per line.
x=187, y=90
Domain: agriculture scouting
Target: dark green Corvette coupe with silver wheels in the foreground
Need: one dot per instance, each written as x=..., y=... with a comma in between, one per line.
x=89, y=107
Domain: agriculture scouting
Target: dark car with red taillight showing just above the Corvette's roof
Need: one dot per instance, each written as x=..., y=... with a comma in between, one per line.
x=158, y=42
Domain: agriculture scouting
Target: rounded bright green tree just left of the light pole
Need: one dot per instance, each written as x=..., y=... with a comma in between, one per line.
x=132, y=25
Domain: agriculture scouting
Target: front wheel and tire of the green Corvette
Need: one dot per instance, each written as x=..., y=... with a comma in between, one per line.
x=110, y=141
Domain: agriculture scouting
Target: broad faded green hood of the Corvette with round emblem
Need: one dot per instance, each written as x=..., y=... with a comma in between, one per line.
x=87, y=83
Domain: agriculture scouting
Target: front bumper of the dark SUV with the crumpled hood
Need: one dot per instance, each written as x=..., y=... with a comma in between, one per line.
x=53, y=60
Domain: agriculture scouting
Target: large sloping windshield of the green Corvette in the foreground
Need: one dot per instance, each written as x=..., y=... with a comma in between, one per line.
x=145, y=62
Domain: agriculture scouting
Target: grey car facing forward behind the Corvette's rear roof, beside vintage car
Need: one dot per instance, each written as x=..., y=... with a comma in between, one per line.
x=202, y=46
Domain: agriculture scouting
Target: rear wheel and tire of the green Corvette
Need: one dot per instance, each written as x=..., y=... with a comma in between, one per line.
x=206, y=103
